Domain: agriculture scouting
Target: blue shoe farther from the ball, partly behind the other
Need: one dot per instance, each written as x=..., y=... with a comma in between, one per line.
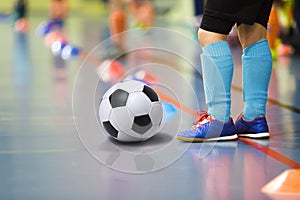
x=256, y=128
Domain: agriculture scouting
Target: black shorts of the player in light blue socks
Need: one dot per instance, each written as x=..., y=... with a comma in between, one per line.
x=220, y=15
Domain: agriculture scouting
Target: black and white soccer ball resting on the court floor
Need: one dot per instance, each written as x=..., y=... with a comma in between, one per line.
x=130, y=111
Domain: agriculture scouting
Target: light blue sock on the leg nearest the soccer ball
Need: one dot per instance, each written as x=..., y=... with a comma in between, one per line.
x=217, y=68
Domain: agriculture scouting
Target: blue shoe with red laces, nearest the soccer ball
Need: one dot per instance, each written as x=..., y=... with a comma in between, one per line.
x=206, y=128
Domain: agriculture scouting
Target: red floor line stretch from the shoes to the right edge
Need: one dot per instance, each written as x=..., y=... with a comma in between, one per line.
x=272, y=153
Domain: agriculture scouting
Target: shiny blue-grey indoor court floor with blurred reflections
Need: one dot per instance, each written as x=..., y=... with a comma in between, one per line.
x=51, y=146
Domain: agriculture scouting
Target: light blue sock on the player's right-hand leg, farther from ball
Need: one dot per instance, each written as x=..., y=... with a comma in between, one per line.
x=257, y=68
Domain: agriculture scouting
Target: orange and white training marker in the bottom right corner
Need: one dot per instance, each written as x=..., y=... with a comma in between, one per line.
x=285, y=186
